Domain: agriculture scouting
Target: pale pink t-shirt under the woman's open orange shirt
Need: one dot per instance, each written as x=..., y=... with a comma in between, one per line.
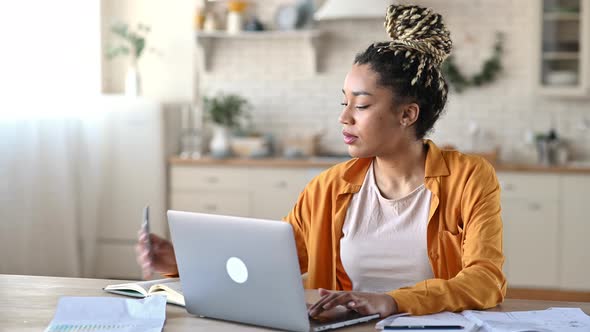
x=383, y=246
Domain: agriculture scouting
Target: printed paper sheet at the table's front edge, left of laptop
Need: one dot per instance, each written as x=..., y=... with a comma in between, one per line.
x=109, y=314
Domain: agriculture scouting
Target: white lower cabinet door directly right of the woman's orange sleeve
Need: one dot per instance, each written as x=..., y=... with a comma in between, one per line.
x=530, y=213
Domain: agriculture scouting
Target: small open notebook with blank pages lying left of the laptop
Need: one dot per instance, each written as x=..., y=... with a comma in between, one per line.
x=170, y=287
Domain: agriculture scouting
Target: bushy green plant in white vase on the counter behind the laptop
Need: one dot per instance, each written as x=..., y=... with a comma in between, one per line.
x=226, y=112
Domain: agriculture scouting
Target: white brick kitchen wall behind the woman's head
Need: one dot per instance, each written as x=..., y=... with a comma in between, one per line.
x=289, y=100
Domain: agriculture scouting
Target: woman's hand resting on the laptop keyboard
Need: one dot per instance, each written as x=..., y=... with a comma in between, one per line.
x=363, y=303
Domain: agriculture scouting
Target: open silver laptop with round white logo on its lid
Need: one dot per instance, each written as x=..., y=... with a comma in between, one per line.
x=245, y=270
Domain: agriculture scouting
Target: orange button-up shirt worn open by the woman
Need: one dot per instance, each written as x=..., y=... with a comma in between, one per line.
x=464, y=233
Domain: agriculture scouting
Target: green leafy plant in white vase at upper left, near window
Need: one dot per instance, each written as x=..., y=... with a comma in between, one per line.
x=134, y=41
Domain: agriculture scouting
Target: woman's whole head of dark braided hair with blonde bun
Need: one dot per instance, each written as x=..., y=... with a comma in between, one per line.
x=411, y=61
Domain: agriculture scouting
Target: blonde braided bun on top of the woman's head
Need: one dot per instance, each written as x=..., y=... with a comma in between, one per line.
x=417, y=28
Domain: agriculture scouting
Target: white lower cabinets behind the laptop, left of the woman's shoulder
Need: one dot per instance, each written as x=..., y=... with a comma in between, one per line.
x=259, y=192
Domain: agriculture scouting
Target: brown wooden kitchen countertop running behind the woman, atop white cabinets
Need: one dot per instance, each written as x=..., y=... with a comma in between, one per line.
x=324, y=162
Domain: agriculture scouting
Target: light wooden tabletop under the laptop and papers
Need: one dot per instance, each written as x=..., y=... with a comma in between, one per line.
x=29, y=303
